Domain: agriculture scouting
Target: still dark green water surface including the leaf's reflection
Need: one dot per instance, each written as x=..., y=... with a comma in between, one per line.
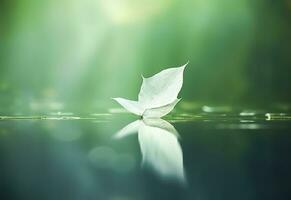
x=220, y=155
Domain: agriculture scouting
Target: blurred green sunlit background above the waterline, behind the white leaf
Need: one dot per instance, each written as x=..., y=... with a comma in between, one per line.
x=74, y=55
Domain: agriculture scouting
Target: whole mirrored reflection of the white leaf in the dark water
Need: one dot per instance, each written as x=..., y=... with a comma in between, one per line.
x=160, y=148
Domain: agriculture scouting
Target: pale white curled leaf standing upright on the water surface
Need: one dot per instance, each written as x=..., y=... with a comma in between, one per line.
x=158, y=94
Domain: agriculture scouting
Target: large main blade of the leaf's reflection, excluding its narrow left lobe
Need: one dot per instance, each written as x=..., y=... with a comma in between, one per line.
x=161, y=152
